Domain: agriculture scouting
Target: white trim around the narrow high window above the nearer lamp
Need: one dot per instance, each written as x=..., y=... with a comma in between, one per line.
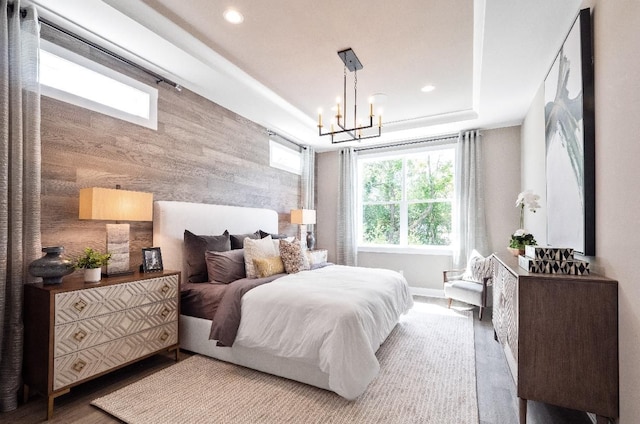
x=150, y=122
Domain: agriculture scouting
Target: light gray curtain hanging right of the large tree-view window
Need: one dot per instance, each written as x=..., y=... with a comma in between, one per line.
x=470, y=221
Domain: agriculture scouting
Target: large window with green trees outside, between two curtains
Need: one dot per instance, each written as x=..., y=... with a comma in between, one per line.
x=406, y=199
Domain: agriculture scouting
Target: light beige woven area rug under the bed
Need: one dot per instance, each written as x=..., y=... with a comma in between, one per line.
x=427, y=375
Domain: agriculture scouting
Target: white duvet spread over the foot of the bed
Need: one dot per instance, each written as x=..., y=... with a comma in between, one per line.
x=335, y=317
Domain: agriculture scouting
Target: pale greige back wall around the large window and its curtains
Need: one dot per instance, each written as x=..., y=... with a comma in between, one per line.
x=501, y=158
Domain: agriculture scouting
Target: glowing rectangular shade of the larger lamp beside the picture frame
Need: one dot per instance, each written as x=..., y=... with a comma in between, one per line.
x=115, y=205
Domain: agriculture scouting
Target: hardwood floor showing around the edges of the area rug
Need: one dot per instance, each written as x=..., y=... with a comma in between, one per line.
x=497, y=402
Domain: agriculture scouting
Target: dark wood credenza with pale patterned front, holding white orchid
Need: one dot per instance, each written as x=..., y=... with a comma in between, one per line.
x=560, y=337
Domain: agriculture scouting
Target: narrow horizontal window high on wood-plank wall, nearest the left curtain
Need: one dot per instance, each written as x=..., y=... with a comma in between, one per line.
x=74, y=79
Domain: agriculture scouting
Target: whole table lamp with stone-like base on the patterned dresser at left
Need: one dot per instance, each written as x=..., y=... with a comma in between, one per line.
x=107, y=204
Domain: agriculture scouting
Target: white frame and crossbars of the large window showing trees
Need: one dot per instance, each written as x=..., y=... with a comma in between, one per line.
x=402, y=248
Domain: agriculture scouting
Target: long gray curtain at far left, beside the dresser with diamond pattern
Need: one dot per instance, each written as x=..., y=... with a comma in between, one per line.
x=19, y=182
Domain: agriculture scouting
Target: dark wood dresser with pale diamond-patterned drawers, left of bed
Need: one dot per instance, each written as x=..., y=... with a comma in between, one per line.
x=76, y=331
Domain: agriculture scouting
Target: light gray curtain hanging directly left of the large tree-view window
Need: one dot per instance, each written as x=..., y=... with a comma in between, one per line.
x=346, y=237
